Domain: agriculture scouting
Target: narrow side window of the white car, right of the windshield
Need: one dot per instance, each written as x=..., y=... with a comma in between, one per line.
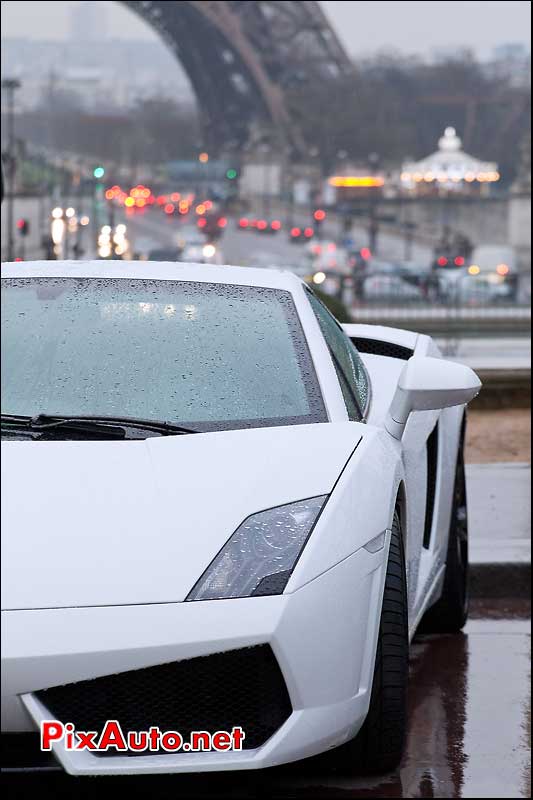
x=350, y=369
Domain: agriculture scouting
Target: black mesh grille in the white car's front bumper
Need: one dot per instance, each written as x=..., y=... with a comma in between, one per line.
x=218, y=692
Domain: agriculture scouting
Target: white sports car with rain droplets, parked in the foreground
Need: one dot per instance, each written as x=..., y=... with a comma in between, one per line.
x=220, y=512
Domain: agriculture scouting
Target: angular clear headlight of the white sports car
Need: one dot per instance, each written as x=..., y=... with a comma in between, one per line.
x=259, y=557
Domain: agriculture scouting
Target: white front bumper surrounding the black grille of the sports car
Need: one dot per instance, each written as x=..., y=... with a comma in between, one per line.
x=323, y=636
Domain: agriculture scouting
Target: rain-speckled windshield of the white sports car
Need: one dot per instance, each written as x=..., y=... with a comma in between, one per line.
x=210, y=356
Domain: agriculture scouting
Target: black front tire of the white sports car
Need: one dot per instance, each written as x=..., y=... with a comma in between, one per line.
x=378, y=747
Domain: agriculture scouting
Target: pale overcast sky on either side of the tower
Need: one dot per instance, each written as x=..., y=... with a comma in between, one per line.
x=364, y=27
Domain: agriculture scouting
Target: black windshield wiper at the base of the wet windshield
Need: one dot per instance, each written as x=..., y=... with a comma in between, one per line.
x=109, y=425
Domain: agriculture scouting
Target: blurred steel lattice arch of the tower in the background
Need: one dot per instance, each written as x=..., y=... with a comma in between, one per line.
x=245, y=59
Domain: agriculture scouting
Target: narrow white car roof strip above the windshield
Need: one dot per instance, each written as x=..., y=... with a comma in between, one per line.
x=156, y=270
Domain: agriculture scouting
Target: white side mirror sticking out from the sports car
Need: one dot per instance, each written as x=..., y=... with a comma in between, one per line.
x=427, y=384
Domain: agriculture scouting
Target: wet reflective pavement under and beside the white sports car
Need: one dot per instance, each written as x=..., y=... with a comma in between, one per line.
x=469, y=733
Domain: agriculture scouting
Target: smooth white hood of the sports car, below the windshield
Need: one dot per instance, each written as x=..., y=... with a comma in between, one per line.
x=99, y=523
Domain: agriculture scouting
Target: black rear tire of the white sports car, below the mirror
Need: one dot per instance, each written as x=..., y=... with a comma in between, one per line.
x=450, y=612
